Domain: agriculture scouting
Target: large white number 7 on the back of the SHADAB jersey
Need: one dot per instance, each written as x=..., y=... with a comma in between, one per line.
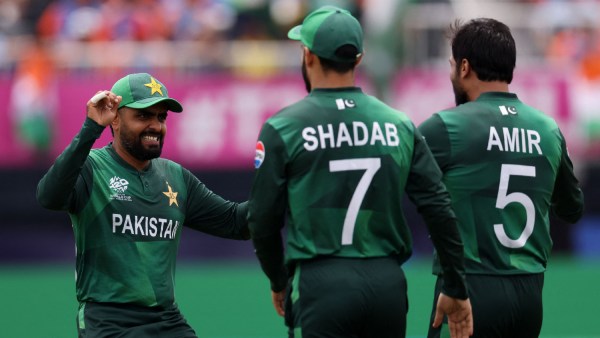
x=370, y=166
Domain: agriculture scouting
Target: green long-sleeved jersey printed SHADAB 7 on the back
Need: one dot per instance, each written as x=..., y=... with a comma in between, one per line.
x=336, y=165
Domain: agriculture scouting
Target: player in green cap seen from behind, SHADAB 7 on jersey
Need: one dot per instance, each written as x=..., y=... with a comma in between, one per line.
x=336, y=165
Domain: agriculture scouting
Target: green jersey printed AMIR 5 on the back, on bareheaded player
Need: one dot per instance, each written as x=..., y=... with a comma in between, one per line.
x=506, y=166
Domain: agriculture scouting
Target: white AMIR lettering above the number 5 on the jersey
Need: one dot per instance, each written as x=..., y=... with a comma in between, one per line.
x=517, y=140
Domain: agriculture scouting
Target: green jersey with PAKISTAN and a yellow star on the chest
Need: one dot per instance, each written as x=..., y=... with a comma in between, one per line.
x=127, y=223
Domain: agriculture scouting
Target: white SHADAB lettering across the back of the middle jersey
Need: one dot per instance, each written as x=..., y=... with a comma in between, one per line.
x=355, y=135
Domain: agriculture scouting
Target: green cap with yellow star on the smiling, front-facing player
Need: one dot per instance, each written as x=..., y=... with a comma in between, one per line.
x=142, y=90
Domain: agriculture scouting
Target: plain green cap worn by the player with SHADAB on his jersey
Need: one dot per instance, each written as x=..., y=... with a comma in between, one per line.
x=328, y=28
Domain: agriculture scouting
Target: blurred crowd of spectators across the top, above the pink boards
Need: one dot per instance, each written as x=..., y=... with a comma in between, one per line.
x=565, y=33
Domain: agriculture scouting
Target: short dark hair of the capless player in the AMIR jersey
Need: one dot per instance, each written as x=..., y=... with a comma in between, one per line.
x=488, y=46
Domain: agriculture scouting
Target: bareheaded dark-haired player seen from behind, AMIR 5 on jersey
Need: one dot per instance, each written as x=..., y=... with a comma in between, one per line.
x=506, y=167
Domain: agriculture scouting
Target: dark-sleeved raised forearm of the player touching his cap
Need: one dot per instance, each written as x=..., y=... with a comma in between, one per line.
x=55, y=188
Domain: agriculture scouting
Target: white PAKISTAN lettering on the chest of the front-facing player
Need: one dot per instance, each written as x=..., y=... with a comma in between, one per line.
x=152, y=227
